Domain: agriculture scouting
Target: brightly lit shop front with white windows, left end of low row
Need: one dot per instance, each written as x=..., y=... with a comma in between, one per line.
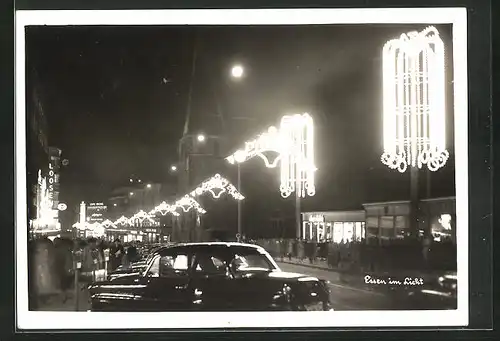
x=336, y=226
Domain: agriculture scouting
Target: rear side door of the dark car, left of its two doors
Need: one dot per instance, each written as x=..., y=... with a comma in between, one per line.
x=168, y=283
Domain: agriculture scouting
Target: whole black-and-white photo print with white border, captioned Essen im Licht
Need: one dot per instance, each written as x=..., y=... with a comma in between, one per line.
x=241, y=168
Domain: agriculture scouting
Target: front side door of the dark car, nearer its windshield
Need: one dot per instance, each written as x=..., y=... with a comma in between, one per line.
x=210, y=284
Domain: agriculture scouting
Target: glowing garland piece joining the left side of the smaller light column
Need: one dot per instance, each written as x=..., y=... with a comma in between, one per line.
x=269, y=141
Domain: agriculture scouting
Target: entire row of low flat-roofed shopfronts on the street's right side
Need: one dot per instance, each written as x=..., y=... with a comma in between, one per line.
x=383, y=222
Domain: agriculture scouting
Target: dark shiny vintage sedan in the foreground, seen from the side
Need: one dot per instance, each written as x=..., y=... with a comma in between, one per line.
x=211, y=277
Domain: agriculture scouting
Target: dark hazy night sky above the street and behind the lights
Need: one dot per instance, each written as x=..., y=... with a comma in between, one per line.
x=115, y=98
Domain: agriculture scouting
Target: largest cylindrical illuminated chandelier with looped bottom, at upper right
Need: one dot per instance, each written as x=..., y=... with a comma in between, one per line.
x=414, y=101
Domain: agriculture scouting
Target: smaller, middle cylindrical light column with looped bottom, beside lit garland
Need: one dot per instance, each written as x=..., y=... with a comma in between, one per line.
x=297, y=163
